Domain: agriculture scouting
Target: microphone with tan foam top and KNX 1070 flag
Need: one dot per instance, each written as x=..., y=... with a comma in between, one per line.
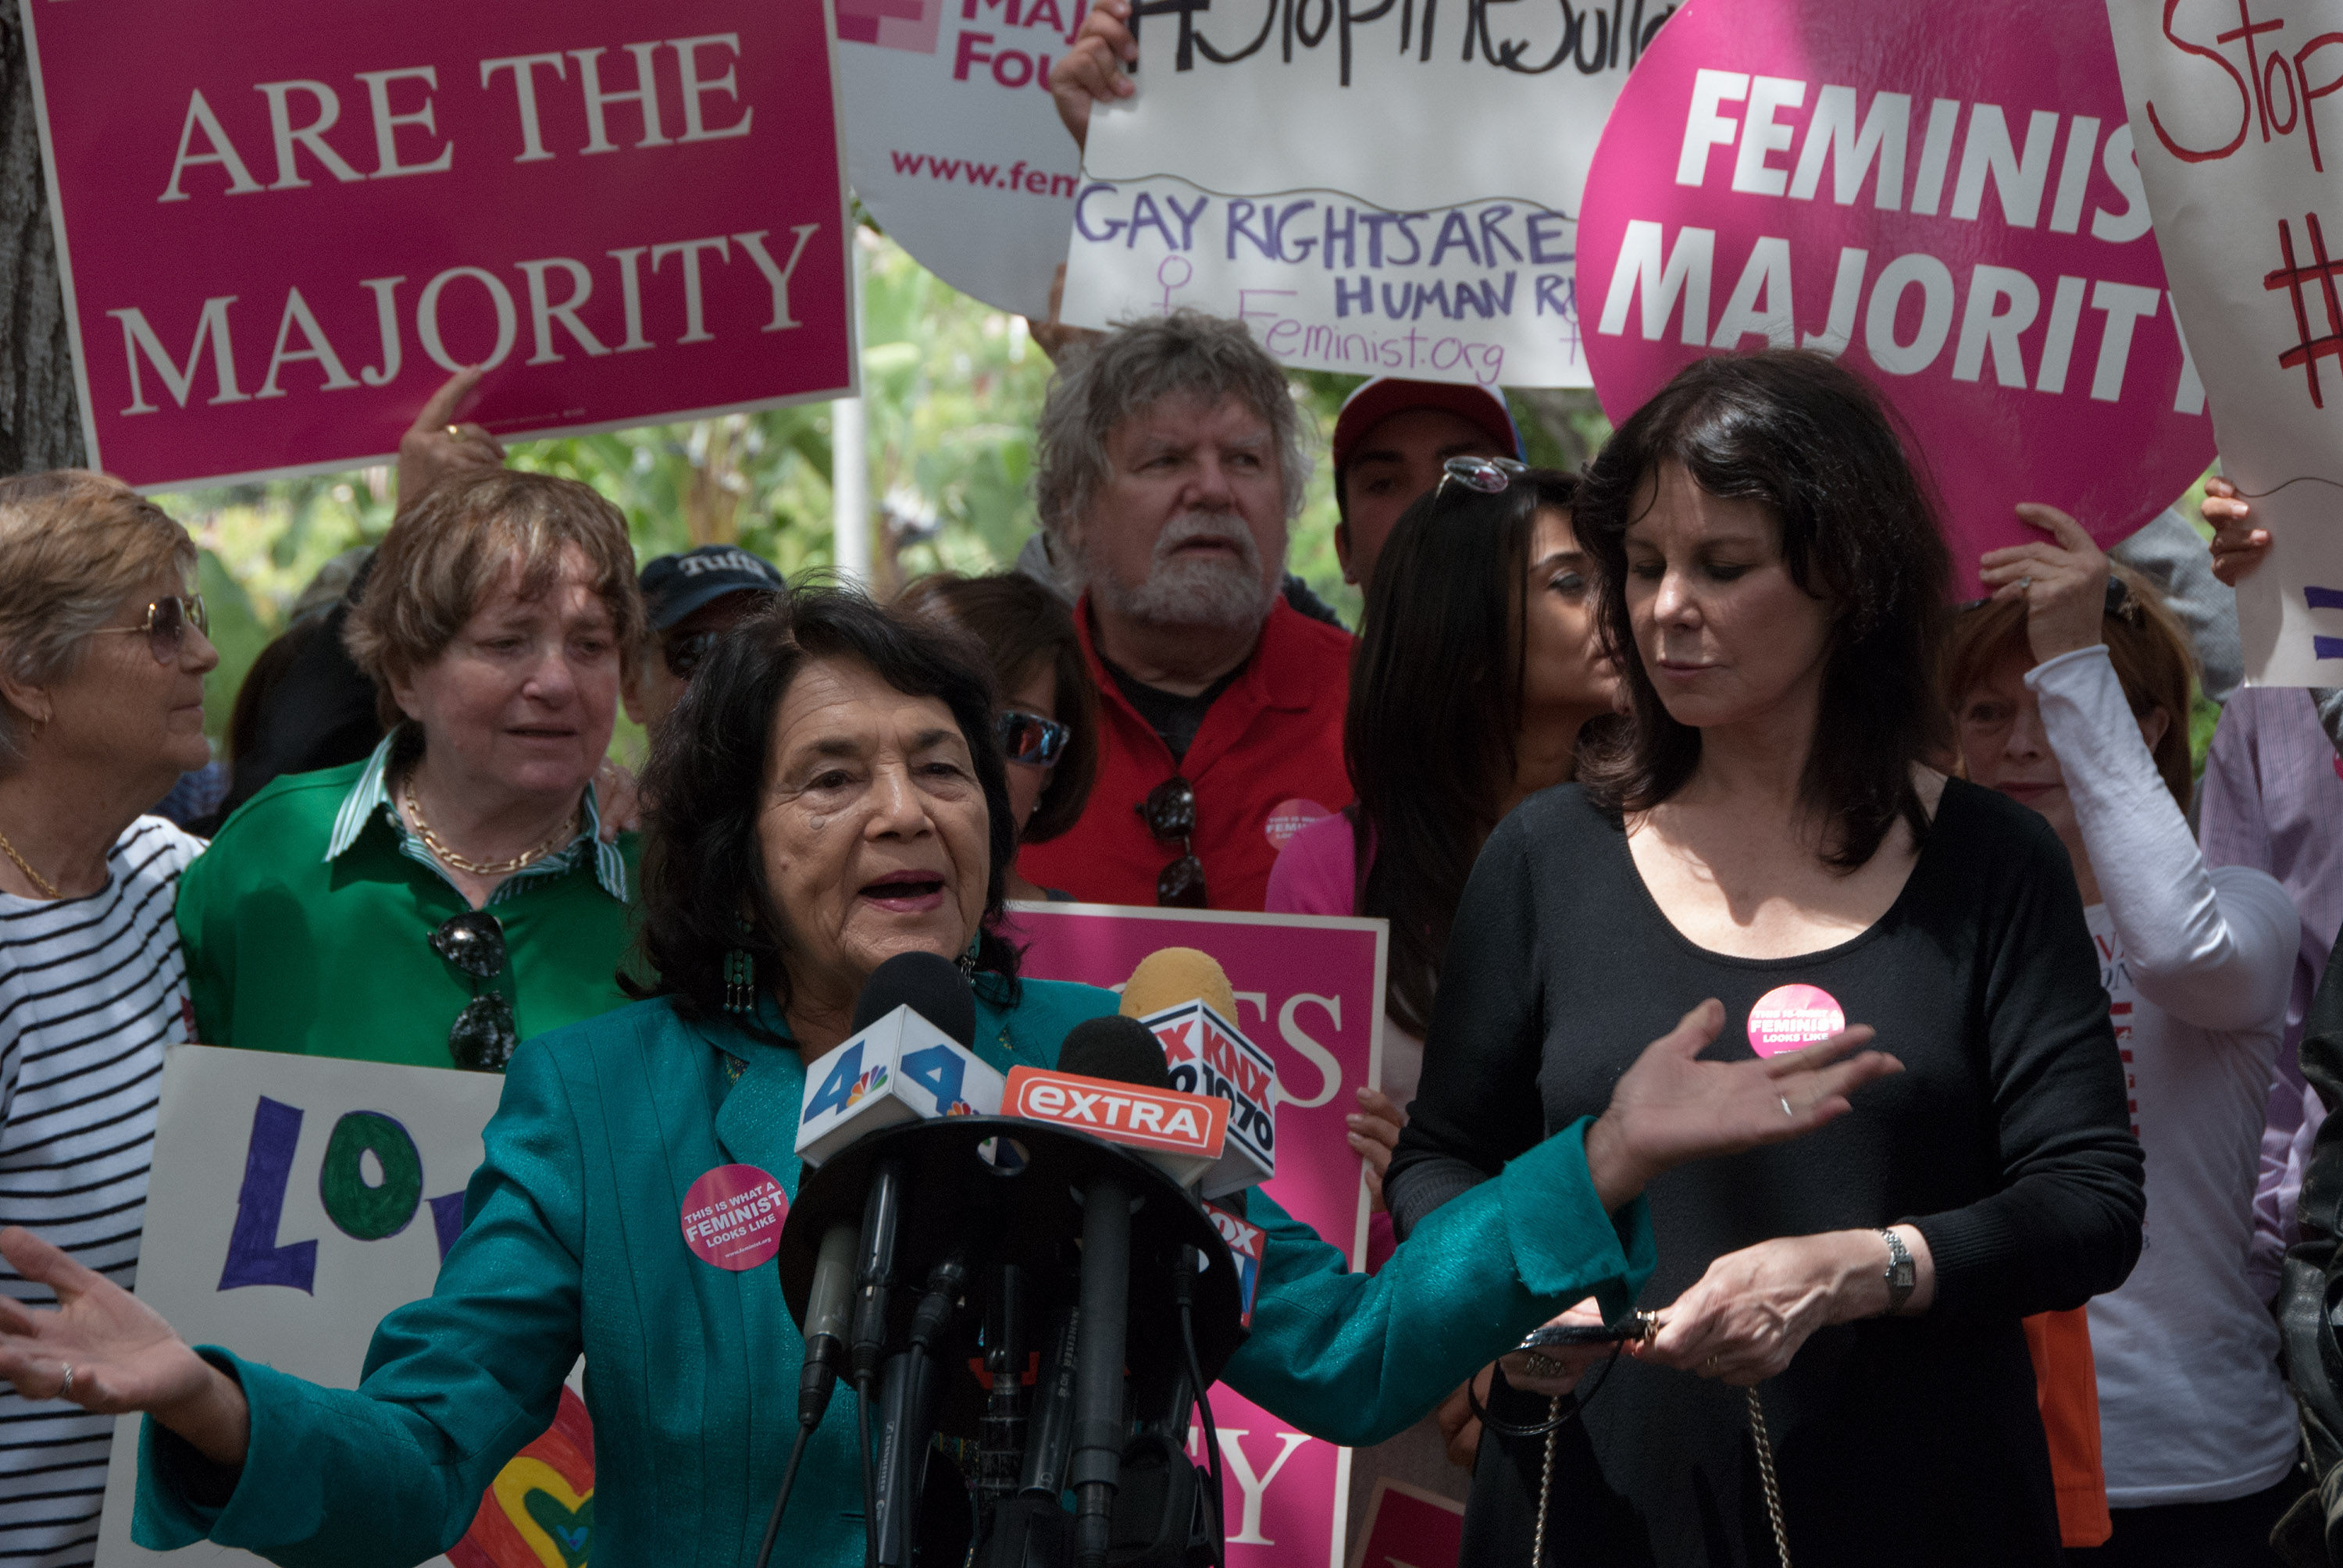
x=1187, y=1004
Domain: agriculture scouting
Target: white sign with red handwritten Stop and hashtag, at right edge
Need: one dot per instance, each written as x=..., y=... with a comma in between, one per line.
x=2229, y=104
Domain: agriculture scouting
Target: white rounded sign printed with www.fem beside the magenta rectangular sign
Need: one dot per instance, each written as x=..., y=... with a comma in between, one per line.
x=952, y=139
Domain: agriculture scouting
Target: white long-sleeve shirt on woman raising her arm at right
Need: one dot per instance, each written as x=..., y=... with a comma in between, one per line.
x=2197, y=967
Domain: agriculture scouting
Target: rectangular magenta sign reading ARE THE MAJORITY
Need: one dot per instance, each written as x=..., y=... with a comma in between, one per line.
x=285, y=226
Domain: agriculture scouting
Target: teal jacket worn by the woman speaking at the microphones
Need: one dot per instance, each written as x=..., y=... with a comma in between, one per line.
x=573, y=1243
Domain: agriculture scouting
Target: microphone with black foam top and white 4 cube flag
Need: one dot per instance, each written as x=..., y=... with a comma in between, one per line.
x=908, y=1061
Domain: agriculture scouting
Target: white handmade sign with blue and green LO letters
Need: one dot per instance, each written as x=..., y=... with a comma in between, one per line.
x=292, y=1206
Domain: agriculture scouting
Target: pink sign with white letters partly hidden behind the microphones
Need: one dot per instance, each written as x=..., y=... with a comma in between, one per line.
x=1311, y=995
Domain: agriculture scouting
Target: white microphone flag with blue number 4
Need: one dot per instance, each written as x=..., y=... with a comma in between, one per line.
x=899, y=1070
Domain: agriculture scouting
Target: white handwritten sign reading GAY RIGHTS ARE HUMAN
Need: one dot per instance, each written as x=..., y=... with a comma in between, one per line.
x=1374, y=189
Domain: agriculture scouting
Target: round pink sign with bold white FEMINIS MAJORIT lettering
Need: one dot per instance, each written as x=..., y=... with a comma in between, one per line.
x=1944, y=198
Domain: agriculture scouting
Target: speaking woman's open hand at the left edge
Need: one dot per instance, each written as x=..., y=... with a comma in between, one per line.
x=111, y=1354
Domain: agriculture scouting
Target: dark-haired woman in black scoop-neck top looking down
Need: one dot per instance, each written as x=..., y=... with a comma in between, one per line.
x=1770, y=838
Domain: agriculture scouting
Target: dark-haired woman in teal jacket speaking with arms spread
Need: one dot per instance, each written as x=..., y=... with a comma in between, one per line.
x=824, y=800
